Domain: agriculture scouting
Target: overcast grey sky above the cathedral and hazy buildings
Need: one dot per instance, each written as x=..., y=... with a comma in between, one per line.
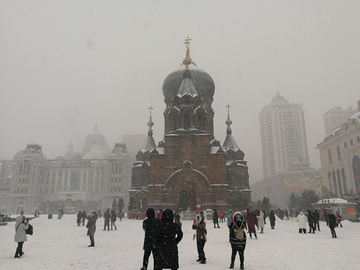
x=67, y=65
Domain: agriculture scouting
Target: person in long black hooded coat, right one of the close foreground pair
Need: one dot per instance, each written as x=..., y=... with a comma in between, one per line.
x=169, y=237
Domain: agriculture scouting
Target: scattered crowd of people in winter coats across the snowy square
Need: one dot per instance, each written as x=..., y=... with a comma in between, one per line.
x=163, y=231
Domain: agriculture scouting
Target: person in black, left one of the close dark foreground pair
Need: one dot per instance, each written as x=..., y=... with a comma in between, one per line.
x=151, y=226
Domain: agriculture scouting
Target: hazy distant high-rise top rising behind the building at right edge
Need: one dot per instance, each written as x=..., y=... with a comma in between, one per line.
x=336, y=117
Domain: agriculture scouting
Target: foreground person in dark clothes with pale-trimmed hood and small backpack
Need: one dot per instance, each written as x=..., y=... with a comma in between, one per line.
x=237, y=244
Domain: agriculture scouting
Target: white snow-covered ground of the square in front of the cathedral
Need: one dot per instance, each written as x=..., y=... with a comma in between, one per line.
x=61, y=244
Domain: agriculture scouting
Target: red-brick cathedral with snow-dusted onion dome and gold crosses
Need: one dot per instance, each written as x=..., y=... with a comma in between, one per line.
x=189, y=168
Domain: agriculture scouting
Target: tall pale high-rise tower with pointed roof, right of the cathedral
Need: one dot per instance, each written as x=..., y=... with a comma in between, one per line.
x=283, y=137
